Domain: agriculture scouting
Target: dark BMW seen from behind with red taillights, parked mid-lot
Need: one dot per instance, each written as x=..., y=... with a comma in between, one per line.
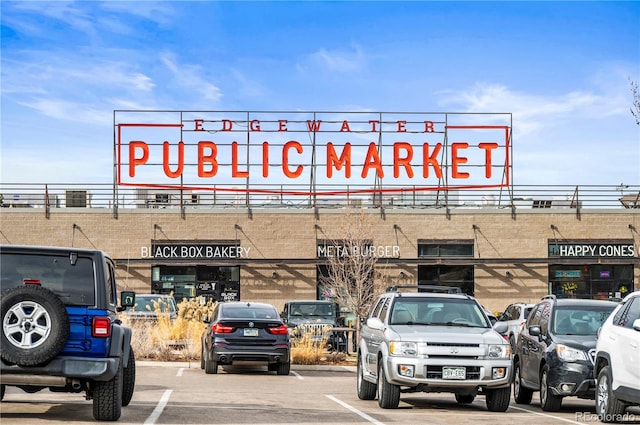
x=245, y=332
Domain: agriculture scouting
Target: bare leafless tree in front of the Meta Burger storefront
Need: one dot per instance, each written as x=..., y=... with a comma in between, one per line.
x=351, y=278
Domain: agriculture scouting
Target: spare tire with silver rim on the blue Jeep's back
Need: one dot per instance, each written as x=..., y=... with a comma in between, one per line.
x=35, y=325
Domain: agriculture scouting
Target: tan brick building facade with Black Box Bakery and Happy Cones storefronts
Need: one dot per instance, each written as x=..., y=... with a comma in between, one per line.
x=278, y=254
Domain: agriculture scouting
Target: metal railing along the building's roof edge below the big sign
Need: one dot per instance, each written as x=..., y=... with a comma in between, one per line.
x=516, y=198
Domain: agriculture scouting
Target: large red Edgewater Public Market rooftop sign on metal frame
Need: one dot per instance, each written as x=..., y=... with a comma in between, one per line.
x=332, y=153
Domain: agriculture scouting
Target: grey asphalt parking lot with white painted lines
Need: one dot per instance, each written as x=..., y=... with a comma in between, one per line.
x=181, y=393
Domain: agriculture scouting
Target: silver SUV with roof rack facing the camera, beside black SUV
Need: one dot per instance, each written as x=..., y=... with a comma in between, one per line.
x=432, y=342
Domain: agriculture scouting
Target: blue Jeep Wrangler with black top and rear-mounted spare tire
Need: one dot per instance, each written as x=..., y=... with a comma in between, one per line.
x=60, y=328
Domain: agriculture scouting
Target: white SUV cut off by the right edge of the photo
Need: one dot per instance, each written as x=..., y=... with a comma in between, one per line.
x=617, y=359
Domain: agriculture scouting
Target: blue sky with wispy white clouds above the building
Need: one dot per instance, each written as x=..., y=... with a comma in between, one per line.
x=561, y=68
